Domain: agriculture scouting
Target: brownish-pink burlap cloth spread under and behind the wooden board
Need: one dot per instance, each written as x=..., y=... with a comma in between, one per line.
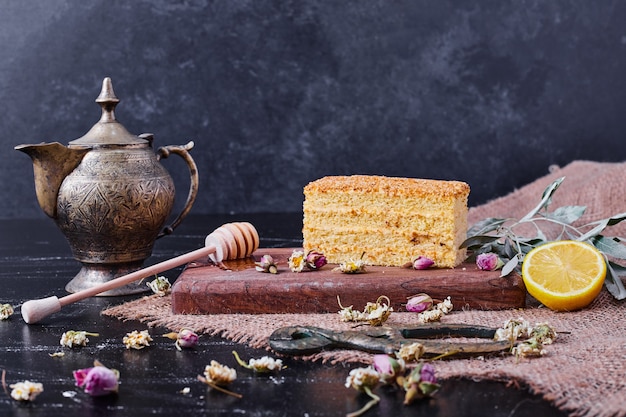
x=583, y=372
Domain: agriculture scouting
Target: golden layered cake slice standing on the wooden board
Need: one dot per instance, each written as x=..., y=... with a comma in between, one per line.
x=391, y=220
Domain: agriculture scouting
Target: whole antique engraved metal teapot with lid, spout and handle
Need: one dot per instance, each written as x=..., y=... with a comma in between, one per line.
x=109, y=195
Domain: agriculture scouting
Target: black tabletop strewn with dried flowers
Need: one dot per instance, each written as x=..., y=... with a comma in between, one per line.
x=36, y=262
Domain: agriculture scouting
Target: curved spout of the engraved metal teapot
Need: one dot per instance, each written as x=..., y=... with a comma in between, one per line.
x=52, y=162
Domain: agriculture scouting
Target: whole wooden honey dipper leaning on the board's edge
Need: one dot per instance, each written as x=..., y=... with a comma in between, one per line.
x=229, y=241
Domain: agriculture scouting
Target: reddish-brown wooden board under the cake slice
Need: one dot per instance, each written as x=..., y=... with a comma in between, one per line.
x=204, y=288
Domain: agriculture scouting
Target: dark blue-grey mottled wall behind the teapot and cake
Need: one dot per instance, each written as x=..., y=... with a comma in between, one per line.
x=278, y=93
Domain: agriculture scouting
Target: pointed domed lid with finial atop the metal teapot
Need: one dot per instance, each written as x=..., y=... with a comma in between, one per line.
x=107, y=131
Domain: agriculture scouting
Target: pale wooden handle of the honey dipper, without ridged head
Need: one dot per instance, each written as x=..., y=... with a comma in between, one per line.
x=35, y=310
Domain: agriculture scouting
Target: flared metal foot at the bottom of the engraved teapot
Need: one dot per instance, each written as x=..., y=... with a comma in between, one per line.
x=92, y=275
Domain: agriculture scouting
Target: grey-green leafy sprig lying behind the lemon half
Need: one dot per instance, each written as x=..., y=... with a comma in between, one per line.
x=498, y=235
